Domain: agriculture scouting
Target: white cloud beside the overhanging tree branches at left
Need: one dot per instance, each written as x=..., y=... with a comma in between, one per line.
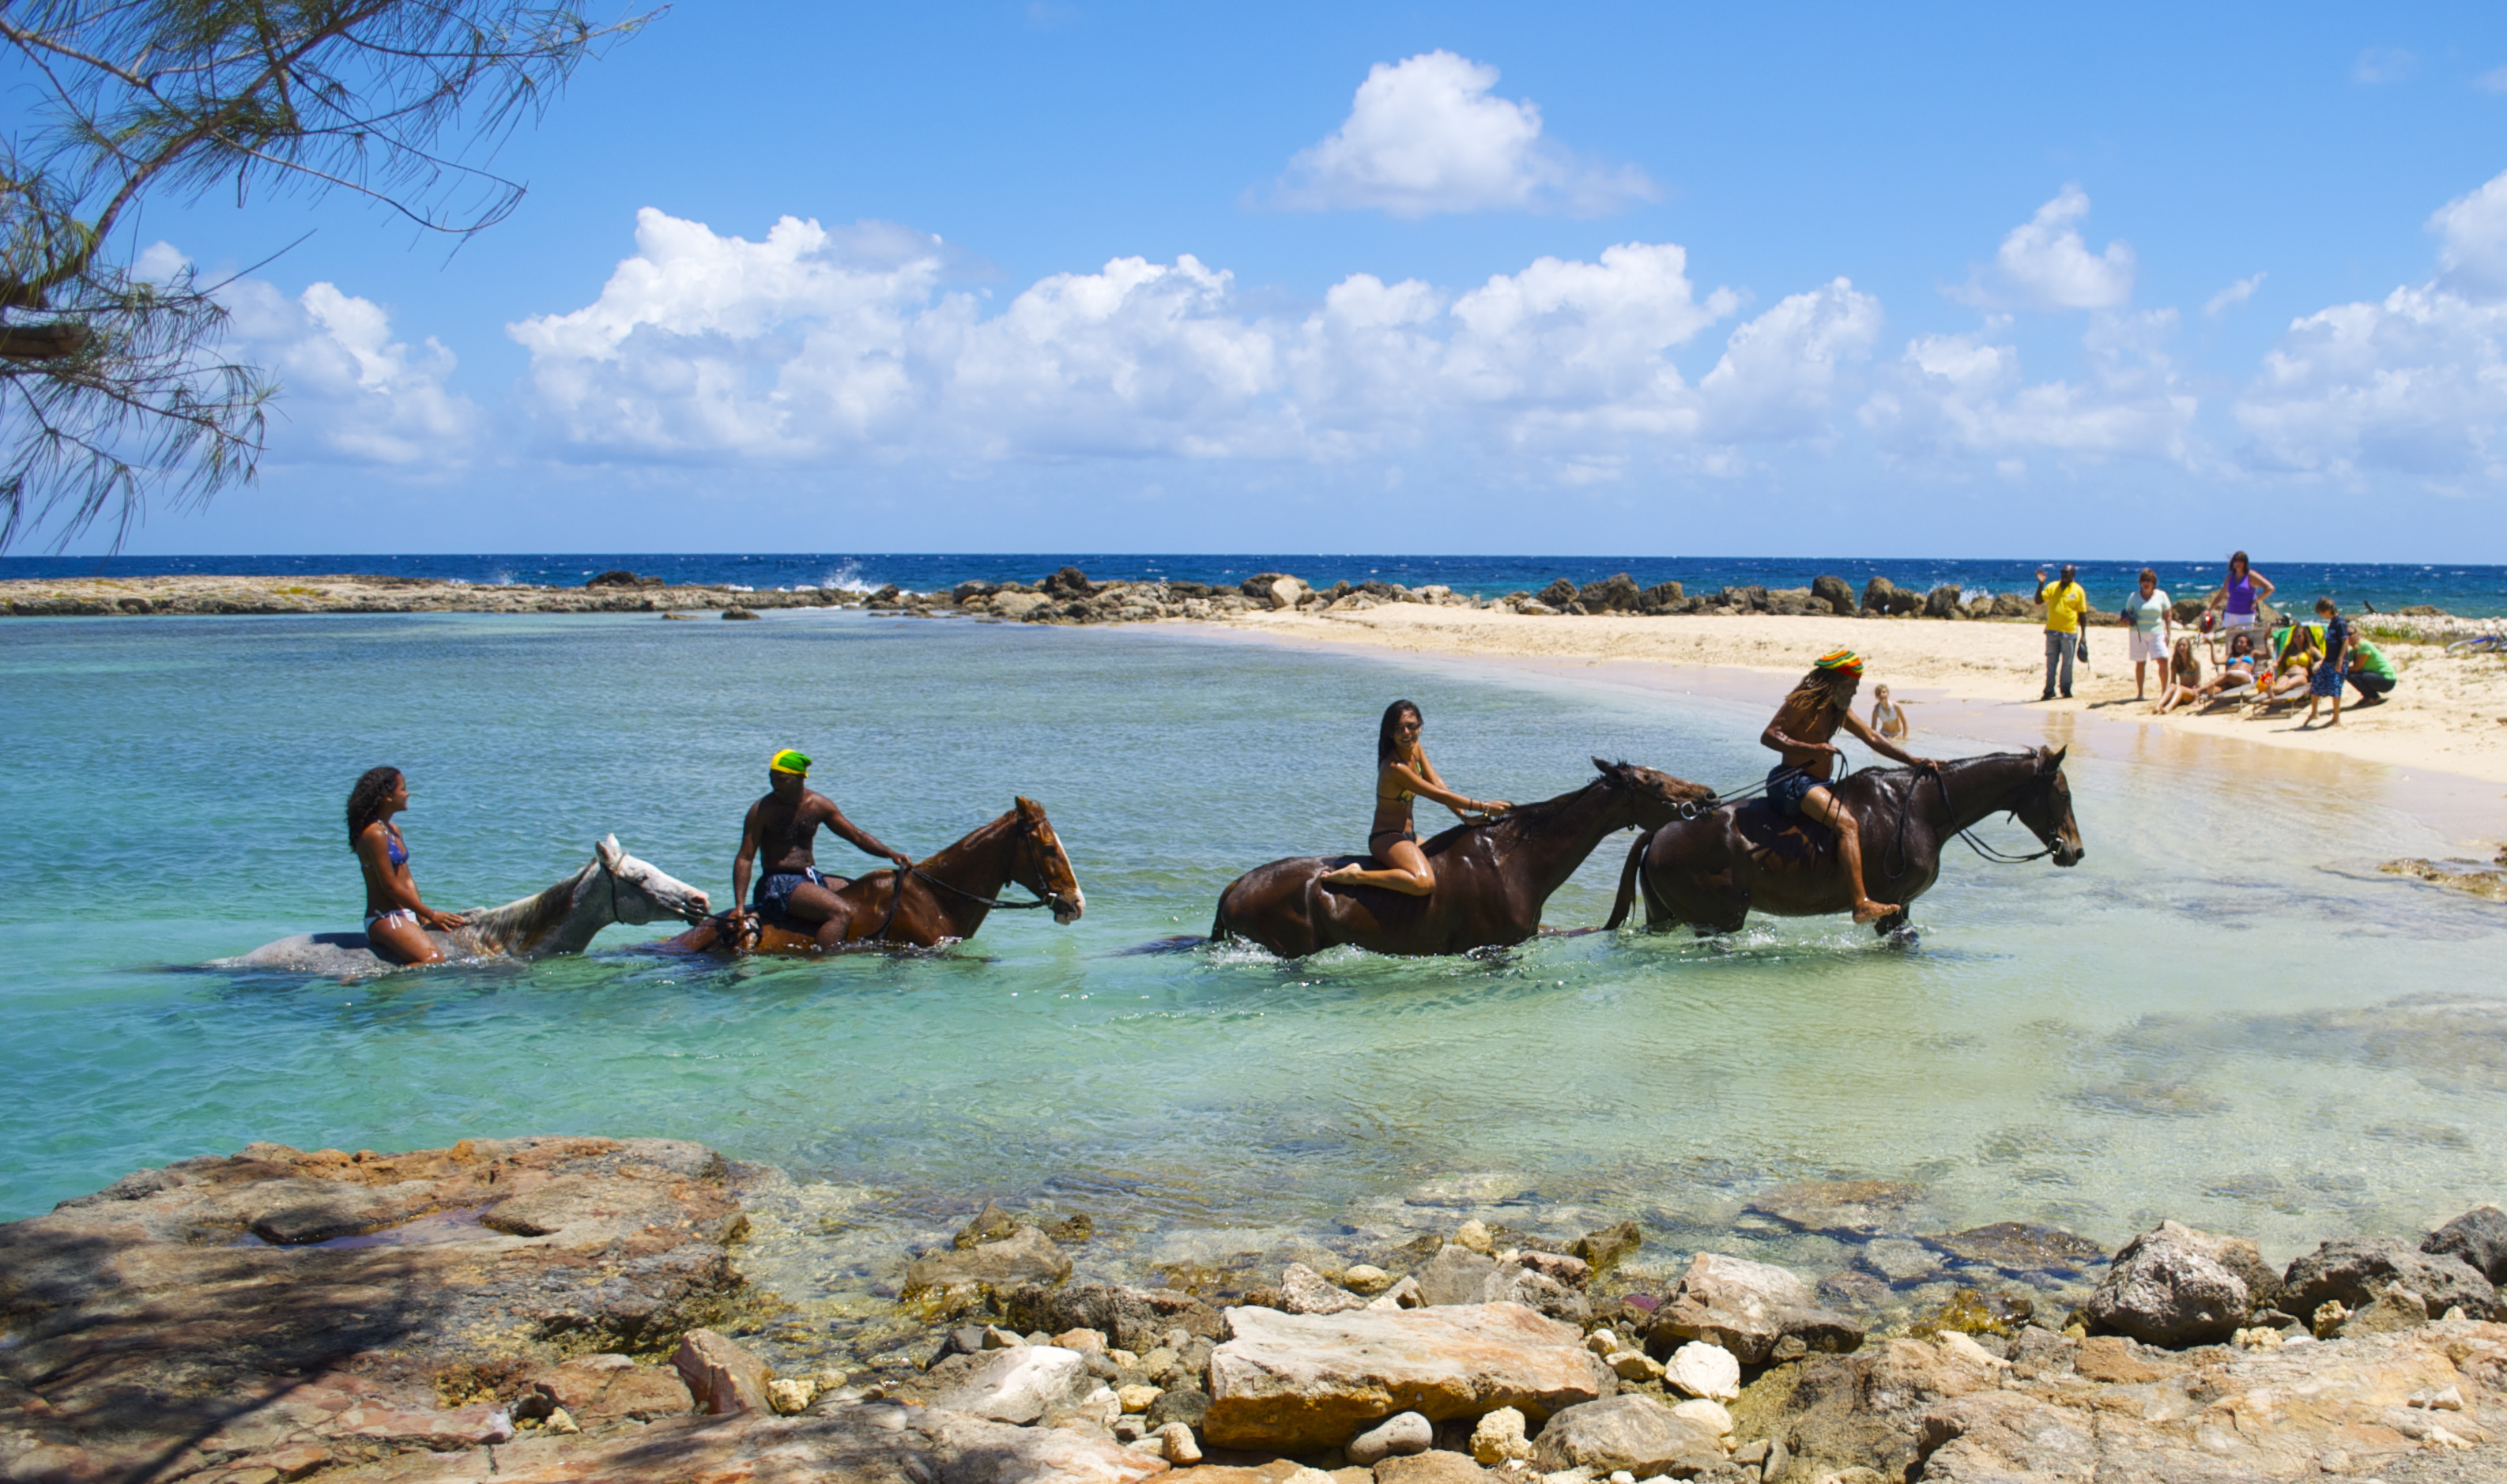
x=347, y=390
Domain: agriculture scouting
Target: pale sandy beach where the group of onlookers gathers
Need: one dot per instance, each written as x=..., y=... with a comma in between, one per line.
x=2448, y=716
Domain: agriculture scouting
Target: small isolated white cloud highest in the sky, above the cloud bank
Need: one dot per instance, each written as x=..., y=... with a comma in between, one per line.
x=1428, y=137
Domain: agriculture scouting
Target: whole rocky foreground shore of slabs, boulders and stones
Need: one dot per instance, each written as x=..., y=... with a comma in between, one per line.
x=545, y=1310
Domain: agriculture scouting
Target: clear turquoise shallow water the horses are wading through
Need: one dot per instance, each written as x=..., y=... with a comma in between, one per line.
x=2225, y=1016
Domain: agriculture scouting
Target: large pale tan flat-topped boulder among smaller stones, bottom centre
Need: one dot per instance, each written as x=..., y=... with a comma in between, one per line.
x=1300, y=1382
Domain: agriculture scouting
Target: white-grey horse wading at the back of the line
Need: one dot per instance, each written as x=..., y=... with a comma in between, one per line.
x=610, y=889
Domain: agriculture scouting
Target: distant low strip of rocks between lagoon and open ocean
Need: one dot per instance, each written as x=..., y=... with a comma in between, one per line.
x=1064, y=598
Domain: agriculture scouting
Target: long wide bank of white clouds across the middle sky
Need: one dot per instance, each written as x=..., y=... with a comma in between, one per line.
x=849, y=345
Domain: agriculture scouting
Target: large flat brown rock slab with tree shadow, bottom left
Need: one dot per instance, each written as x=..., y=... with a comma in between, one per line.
x=159, y=1332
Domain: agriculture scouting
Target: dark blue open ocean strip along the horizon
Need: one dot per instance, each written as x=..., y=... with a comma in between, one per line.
x=2458, y=588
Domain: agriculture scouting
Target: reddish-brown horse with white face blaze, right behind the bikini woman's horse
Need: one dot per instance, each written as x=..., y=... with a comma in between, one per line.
x=941, y=901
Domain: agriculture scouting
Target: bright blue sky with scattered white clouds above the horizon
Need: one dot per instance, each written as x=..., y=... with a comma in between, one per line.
x=2125, y=282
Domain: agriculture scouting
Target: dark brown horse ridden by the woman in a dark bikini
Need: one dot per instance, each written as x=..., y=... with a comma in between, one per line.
x=1490, y=879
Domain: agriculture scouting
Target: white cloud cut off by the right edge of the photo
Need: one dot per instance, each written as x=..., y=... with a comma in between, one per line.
x=2413, y=385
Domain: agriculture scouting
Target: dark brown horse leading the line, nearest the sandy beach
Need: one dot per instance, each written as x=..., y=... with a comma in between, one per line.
x=1716, y=869
